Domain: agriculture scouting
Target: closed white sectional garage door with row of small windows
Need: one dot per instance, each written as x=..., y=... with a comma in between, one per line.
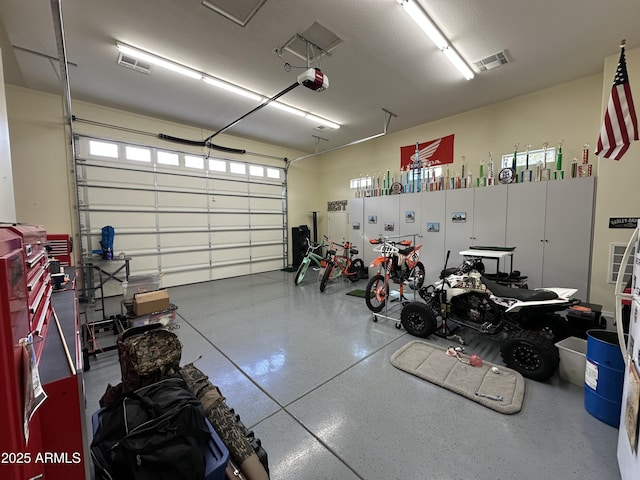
x=189, y=218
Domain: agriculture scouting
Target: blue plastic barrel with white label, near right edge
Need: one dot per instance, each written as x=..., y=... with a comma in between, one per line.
x=604, y=376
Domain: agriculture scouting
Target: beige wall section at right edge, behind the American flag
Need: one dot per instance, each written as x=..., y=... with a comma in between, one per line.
x=618, y=188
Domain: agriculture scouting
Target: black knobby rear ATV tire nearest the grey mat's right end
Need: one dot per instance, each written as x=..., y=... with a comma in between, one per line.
x=530, y=353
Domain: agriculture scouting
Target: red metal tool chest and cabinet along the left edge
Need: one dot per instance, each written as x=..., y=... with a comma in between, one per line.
x=55, y=447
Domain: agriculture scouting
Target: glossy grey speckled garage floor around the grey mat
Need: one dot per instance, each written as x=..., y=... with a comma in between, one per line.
x=309, y=373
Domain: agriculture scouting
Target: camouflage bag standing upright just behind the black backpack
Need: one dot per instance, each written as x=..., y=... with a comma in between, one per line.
x=147, y=354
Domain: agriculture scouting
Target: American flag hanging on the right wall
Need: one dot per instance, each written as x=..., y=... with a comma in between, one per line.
x=620, y=124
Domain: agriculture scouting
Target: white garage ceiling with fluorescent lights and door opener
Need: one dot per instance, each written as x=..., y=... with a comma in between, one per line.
x=384, y=60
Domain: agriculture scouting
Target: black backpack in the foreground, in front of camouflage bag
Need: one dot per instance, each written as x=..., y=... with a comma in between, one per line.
x=157, y=432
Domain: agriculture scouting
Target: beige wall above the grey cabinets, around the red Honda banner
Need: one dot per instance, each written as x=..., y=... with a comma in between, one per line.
x=568, y=112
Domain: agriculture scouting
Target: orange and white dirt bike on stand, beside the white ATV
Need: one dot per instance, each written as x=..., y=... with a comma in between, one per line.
x=399, y=262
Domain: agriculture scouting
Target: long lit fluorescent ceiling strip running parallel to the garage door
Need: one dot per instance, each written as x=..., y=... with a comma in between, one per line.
x=216, y=82
